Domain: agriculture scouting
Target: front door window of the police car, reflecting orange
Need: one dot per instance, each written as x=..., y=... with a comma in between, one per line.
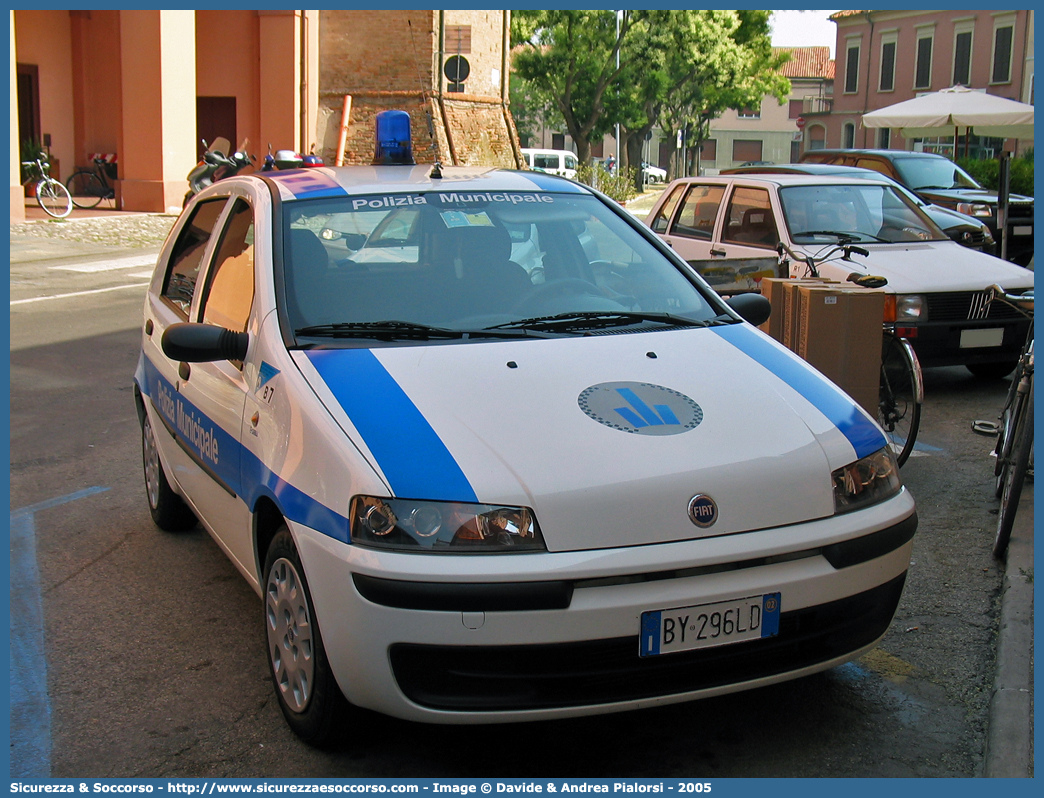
x=230, y=290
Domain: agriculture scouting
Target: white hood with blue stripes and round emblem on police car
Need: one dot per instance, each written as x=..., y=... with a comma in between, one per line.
x=607, y=438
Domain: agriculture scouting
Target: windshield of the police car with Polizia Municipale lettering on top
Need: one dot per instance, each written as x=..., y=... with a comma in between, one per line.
x=474, y=262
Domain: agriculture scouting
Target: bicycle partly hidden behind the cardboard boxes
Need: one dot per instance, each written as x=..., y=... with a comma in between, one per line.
x=901, y=392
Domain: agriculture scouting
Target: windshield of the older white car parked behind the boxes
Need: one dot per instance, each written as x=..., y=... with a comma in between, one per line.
x=863, y=215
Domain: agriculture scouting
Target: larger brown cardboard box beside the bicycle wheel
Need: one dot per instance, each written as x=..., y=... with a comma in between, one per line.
x=840, y=334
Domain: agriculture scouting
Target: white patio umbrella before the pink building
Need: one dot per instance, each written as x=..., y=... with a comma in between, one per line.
x=958, y=108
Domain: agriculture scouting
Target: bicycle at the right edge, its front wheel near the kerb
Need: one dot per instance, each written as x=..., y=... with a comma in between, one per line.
x=1015, y=433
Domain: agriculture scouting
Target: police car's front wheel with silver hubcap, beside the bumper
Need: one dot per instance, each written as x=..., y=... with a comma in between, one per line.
x=309, y=694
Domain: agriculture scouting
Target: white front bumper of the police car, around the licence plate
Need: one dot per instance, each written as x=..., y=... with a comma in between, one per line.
x=561, y=639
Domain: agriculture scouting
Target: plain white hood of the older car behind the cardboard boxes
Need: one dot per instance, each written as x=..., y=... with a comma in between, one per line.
x=930, y=268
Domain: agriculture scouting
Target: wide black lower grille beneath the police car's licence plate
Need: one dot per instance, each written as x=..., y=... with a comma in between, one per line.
x=472, y=678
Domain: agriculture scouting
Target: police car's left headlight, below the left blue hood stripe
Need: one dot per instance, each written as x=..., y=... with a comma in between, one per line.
x=444, y=527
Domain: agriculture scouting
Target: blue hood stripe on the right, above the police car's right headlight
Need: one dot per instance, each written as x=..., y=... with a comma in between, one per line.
x=843, y=413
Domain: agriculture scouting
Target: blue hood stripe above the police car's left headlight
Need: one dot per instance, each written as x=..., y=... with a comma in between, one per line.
x=409, y=452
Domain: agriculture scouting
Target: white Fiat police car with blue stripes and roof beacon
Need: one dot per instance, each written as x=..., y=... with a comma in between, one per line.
x=472, y=492
